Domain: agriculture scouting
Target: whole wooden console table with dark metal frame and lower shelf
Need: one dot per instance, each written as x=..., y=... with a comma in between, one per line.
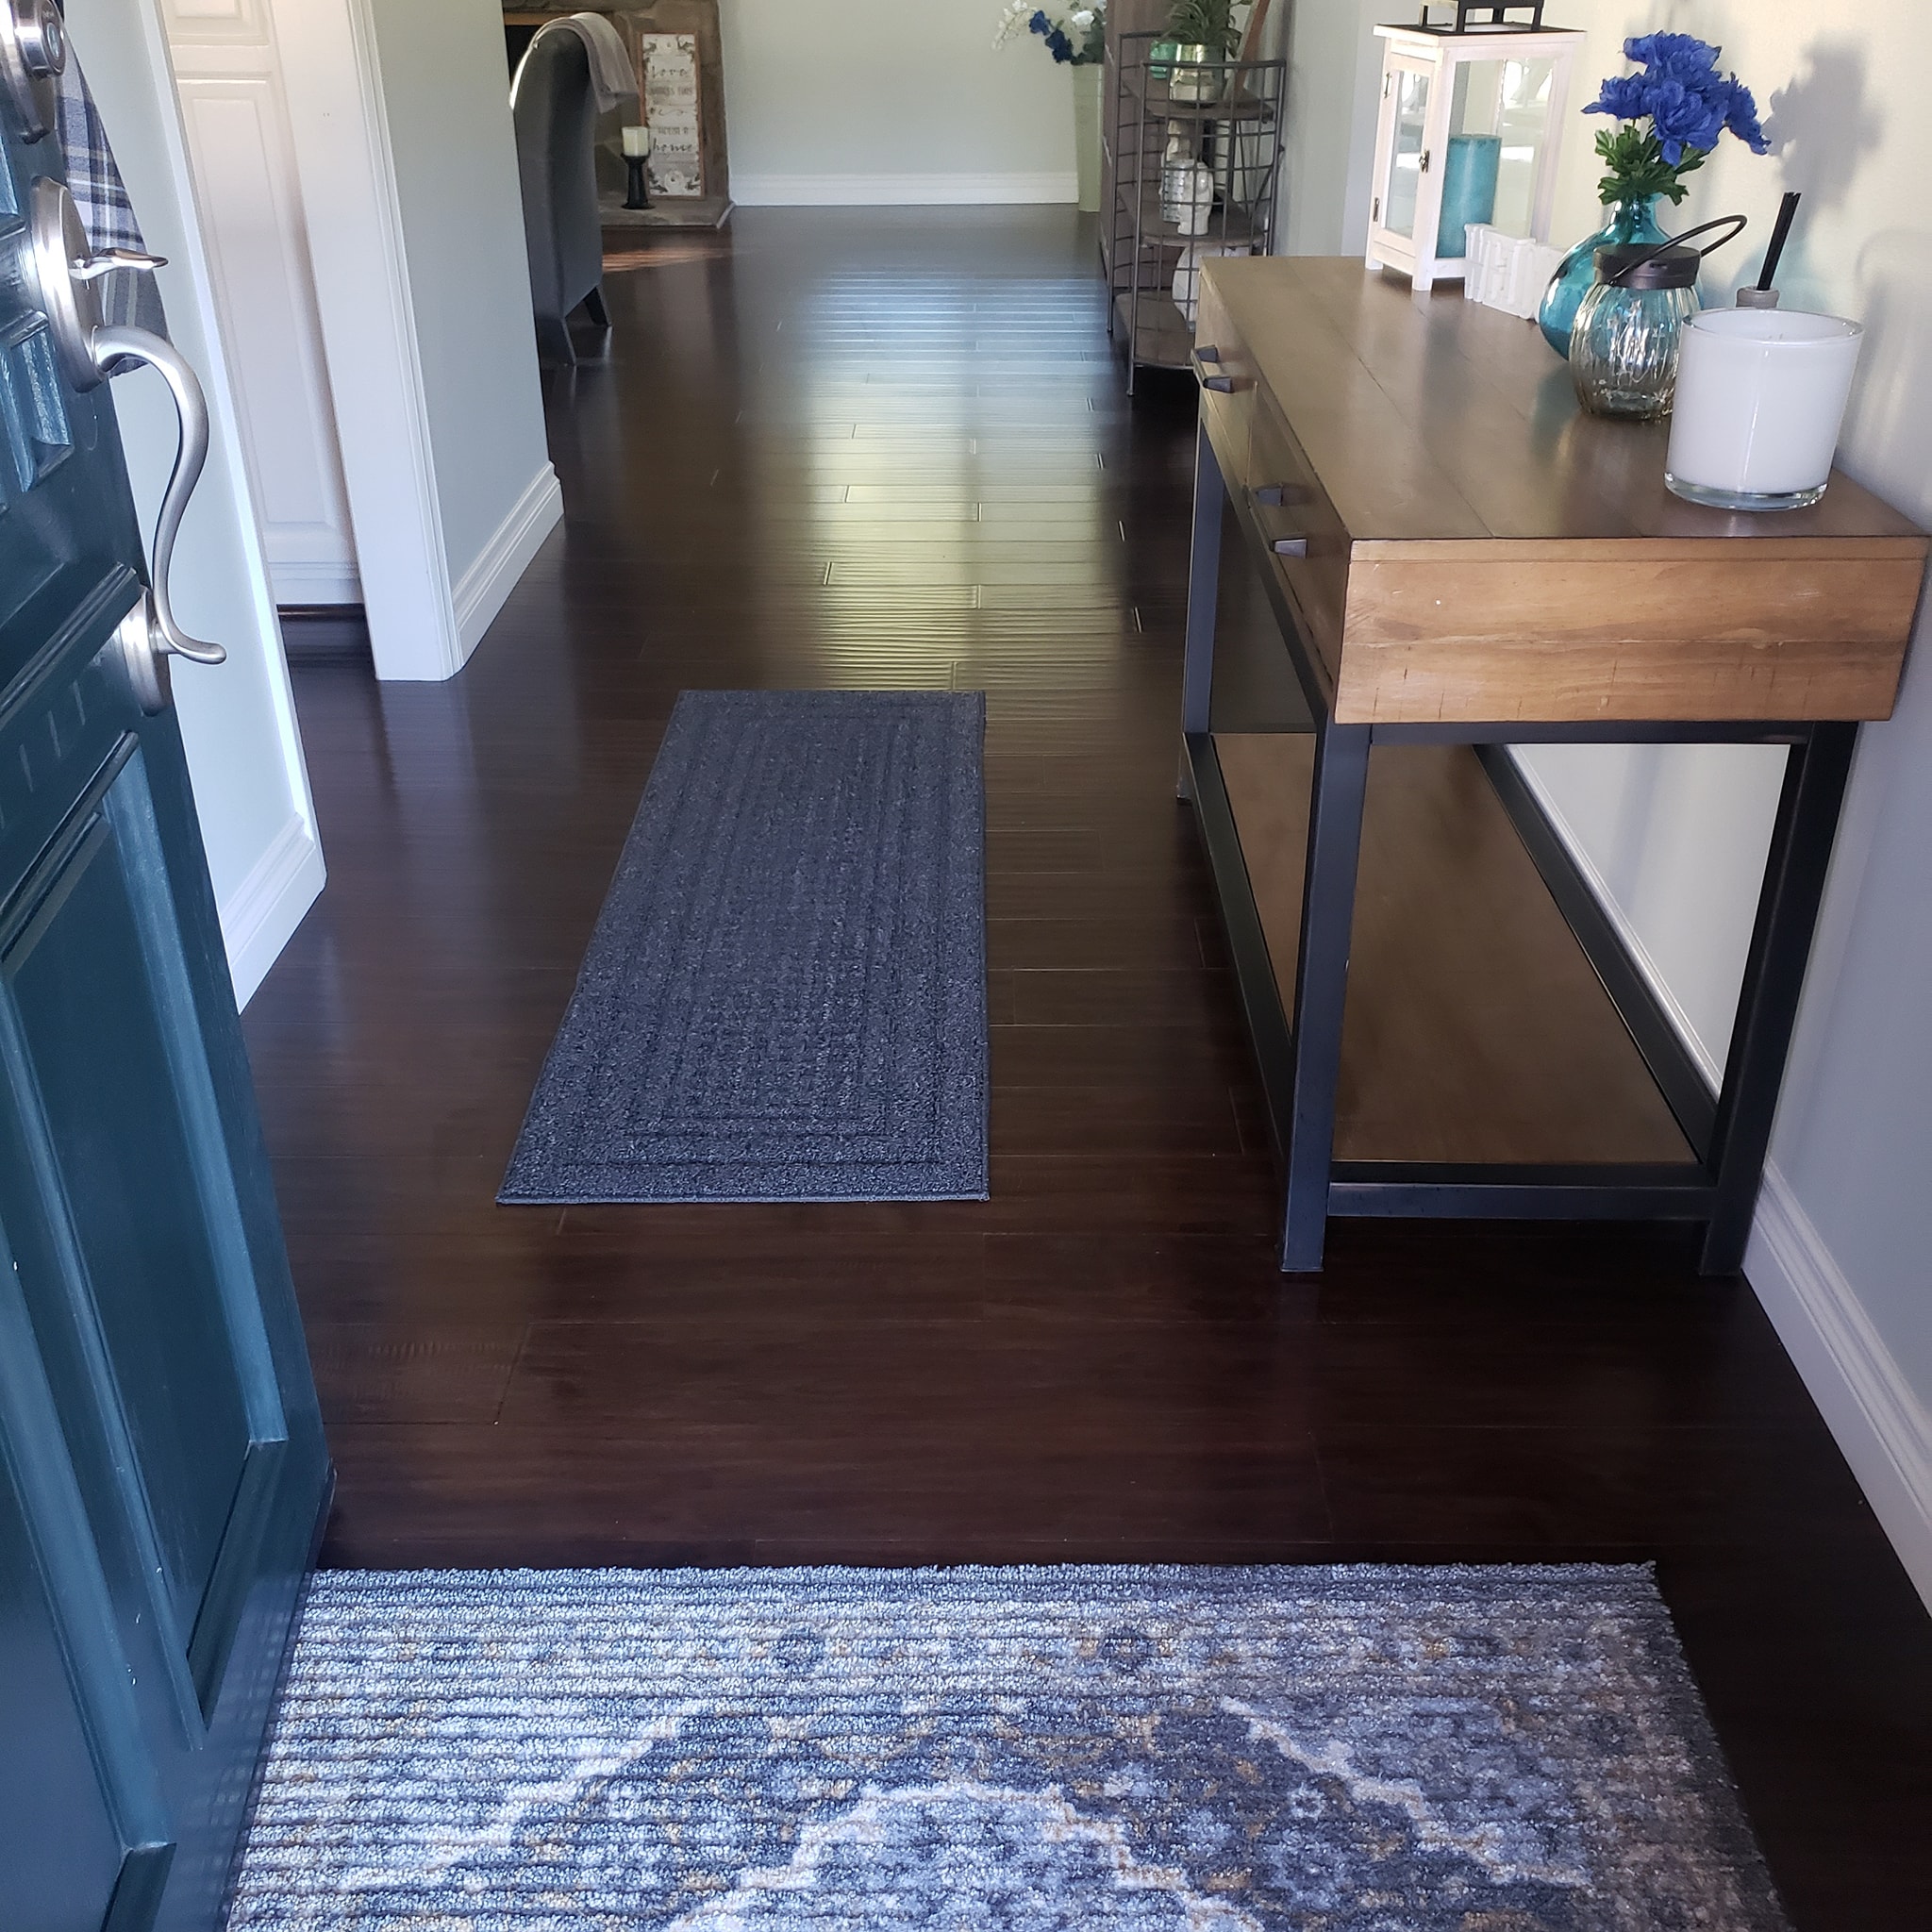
x=1444, y=557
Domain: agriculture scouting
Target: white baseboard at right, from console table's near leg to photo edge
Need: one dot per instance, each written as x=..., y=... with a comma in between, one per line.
x=1858, y=1384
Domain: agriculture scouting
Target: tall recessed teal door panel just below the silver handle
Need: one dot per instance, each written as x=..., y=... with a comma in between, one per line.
x=123, y=1118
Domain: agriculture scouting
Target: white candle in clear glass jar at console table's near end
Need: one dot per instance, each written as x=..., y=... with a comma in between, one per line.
x=1761, y=395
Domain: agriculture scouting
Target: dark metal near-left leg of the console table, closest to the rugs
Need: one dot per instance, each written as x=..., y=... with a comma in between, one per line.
x=1322, y=984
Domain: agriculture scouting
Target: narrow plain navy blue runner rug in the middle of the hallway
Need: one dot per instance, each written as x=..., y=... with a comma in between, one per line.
x=785, y=994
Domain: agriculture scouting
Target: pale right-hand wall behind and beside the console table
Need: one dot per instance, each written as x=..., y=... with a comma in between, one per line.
x=1844, y=94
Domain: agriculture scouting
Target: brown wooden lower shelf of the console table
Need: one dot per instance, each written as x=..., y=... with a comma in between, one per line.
x=1481, y=1048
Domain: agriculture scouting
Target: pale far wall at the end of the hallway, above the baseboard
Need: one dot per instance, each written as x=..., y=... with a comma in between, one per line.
x=867, y=101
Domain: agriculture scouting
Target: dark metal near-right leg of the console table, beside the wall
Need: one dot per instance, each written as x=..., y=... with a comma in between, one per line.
x=1775, y=977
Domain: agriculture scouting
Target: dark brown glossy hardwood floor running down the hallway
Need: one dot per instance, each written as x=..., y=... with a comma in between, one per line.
x=894, y=449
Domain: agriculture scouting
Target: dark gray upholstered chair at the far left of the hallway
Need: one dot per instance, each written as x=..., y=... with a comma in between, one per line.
x=555, y=132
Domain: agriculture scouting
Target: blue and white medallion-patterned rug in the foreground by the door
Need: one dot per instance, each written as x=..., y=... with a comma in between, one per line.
x=1031, y=1749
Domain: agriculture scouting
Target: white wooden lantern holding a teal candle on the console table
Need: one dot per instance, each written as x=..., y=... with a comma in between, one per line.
x=1471, y=119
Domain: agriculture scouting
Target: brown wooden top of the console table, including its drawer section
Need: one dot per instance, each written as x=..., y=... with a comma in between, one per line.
x=1471, y=546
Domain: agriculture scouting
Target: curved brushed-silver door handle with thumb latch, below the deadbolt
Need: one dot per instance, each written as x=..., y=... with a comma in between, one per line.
x=69, y=275
